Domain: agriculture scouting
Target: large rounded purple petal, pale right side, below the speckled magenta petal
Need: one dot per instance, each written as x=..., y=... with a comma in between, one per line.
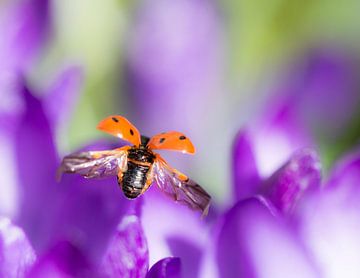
x=254, y=243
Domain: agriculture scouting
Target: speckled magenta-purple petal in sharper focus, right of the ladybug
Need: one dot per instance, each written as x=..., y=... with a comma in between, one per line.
x=302, y=173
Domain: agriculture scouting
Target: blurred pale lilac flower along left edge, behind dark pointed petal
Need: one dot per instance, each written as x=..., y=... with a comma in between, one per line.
x=23, y=27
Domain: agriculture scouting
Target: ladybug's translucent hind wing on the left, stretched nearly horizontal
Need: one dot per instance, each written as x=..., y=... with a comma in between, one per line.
x=95, y=164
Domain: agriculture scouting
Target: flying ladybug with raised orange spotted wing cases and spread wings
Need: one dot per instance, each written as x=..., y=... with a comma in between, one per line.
x=137, y=165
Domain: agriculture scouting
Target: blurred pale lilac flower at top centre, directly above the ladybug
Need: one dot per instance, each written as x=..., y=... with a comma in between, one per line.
x=171, y=62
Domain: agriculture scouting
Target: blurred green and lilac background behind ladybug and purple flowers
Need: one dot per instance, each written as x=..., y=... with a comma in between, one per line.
x=203, y=67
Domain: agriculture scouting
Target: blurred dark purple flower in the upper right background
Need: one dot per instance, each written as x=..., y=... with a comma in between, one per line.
x=321, y=91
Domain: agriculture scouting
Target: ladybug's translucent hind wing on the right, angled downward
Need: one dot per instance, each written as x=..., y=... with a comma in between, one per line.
x=180, y=188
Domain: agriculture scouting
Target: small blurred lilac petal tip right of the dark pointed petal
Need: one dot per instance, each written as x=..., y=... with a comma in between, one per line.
x=62, y=97
